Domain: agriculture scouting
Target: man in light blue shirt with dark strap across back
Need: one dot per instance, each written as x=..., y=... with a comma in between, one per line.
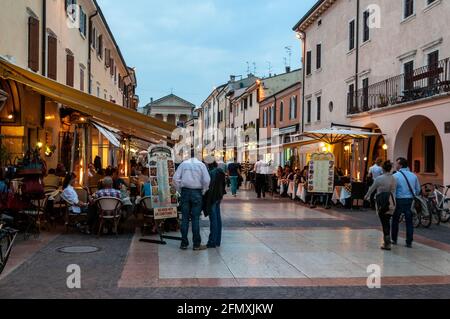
x=407, y=189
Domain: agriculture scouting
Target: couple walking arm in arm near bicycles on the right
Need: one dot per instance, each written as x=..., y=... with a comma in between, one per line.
x=395, y=196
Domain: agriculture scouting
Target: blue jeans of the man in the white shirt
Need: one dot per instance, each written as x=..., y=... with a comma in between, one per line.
x=191, y=207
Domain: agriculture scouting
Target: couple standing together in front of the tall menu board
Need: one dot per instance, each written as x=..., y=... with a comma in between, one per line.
x=201, y=190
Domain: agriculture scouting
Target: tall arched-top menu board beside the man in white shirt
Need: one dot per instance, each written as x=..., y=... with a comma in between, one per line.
x=161, y=166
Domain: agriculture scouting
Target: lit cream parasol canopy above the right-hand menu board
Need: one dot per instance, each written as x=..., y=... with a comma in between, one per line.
x=334, y=135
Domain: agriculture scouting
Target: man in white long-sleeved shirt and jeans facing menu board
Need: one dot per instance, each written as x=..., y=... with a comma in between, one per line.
x=192, y=180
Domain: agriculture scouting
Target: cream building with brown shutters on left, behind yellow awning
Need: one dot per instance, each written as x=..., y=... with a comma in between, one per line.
x=68, y=42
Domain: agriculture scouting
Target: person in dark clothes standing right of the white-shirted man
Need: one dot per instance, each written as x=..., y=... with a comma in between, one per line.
x=213, y=200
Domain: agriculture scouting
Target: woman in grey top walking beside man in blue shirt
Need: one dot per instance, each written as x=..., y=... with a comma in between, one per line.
x=385, y=187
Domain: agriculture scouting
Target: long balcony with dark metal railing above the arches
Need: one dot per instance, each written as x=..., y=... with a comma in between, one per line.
x=418, y=84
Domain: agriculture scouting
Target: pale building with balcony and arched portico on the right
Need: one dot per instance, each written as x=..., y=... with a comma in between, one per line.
x=387, y=69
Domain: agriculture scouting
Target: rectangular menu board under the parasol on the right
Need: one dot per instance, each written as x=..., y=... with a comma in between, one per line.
x=321, y=173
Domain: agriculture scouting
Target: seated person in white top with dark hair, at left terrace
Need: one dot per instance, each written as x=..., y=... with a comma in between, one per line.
x=77, y=207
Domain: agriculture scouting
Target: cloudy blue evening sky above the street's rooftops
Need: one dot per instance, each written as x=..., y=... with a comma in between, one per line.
x=190, y=46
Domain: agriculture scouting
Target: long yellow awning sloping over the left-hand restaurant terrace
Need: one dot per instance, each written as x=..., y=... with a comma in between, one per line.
x=125, y=120
